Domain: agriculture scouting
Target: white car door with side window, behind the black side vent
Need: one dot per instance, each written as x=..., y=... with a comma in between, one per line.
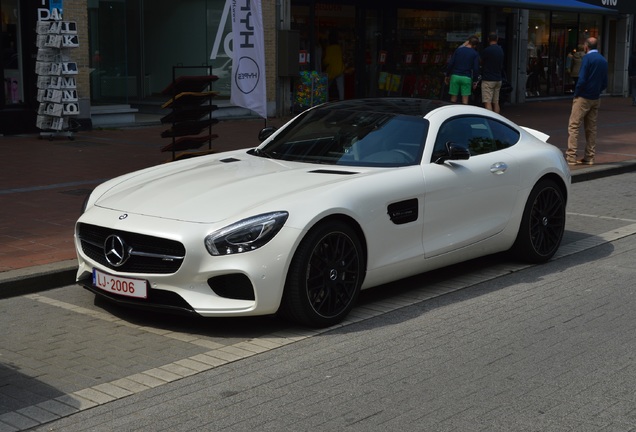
x=468, y=201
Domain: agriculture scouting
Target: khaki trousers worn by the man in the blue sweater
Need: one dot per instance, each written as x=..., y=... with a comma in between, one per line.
x=584, y=111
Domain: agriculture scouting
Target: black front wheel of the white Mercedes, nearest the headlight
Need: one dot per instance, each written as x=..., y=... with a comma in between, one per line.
x=325, y=275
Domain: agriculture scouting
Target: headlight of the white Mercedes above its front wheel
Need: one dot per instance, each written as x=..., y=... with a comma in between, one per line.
x=245, y=235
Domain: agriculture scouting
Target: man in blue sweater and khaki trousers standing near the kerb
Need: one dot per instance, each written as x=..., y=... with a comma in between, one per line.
x=592, y=81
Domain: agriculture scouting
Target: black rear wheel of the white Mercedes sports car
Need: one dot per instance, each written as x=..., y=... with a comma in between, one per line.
x=543, y=223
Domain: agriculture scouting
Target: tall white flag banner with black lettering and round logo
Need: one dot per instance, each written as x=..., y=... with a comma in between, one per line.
x=248, y=57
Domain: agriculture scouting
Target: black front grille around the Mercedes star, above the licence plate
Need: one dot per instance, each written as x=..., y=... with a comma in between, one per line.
x=148, y=254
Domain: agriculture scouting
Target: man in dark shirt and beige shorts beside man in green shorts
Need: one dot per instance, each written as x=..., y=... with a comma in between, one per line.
x=491, y=73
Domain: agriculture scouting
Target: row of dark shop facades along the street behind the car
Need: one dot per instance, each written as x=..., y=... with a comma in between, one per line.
x=128, y=48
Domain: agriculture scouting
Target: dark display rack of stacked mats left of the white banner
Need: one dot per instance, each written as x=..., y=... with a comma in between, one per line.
x=191, y=112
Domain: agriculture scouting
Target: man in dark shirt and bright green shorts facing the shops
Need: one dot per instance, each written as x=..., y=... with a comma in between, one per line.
x=462, y=70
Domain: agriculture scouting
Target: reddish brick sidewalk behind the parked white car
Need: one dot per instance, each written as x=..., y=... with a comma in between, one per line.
x=43, y=183
